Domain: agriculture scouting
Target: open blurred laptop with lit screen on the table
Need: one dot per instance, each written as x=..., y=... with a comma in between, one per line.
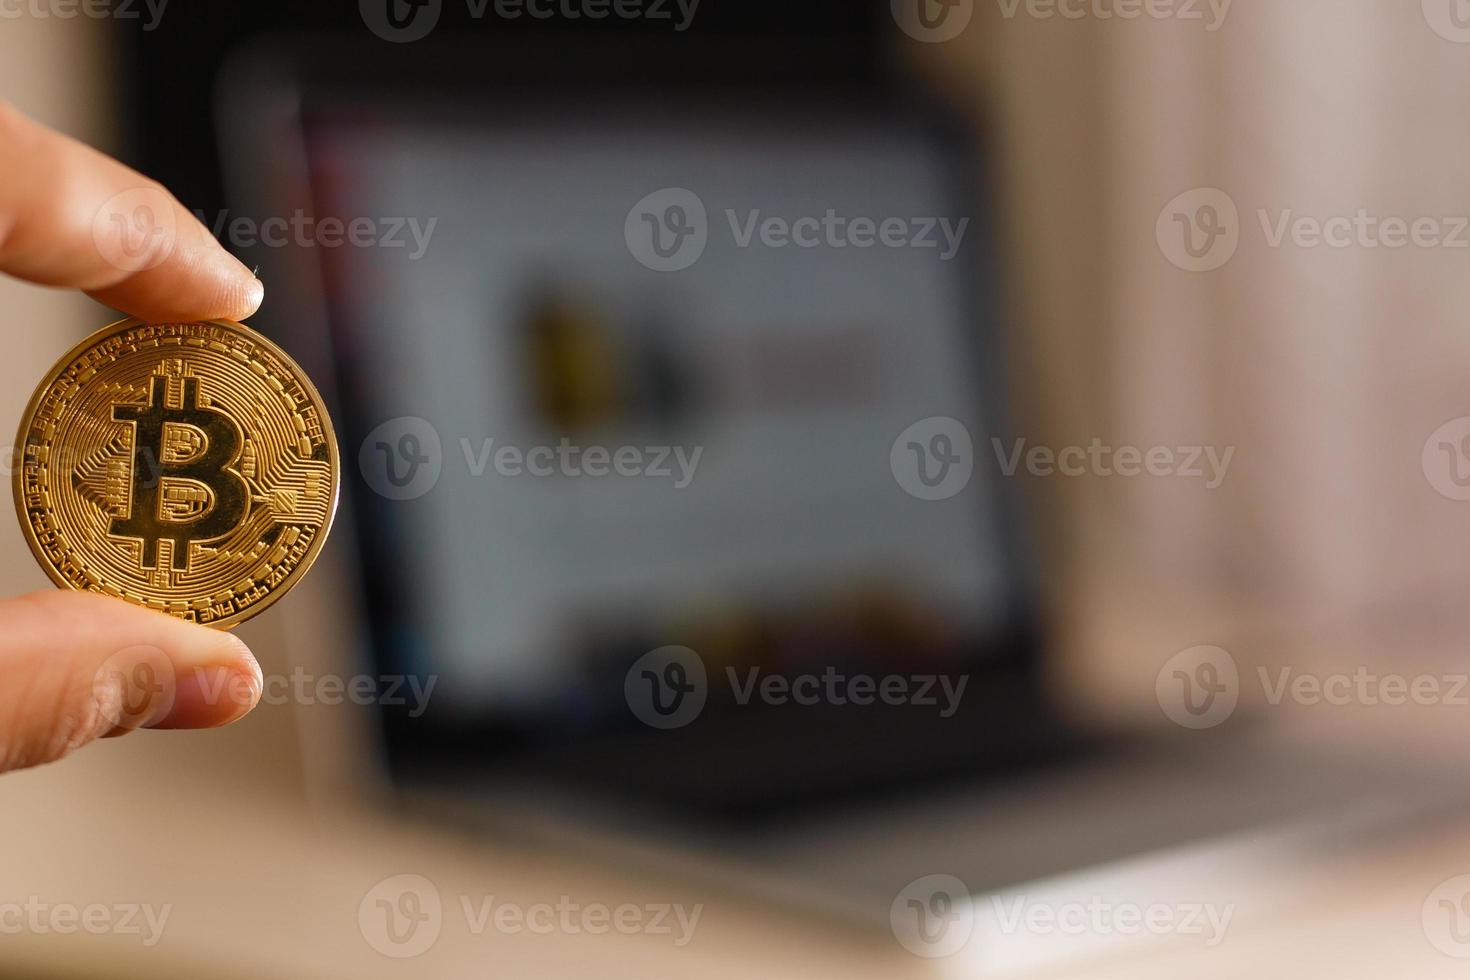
x=668, y=419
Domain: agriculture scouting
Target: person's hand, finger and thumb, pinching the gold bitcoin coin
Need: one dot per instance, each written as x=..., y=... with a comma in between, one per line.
x=73, y=663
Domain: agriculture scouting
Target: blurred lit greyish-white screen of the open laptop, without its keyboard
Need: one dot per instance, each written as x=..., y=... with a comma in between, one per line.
x=634, y=456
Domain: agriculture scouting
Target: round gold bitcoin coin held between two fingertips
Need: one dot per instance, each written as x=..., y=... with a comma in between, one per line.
x=189, y=468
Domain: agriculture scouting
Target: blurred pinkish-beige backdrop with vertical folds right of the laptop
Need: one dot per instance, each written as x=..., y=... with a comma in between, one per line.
x=1327, y=368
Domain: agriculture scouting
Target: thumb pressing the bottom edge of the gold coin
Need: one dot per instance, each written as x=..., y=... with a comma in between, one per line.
x=76, y=666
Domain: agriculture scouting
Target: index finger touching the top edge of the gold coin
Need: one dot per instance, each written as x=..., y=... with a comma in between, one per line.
x=71, y=217
